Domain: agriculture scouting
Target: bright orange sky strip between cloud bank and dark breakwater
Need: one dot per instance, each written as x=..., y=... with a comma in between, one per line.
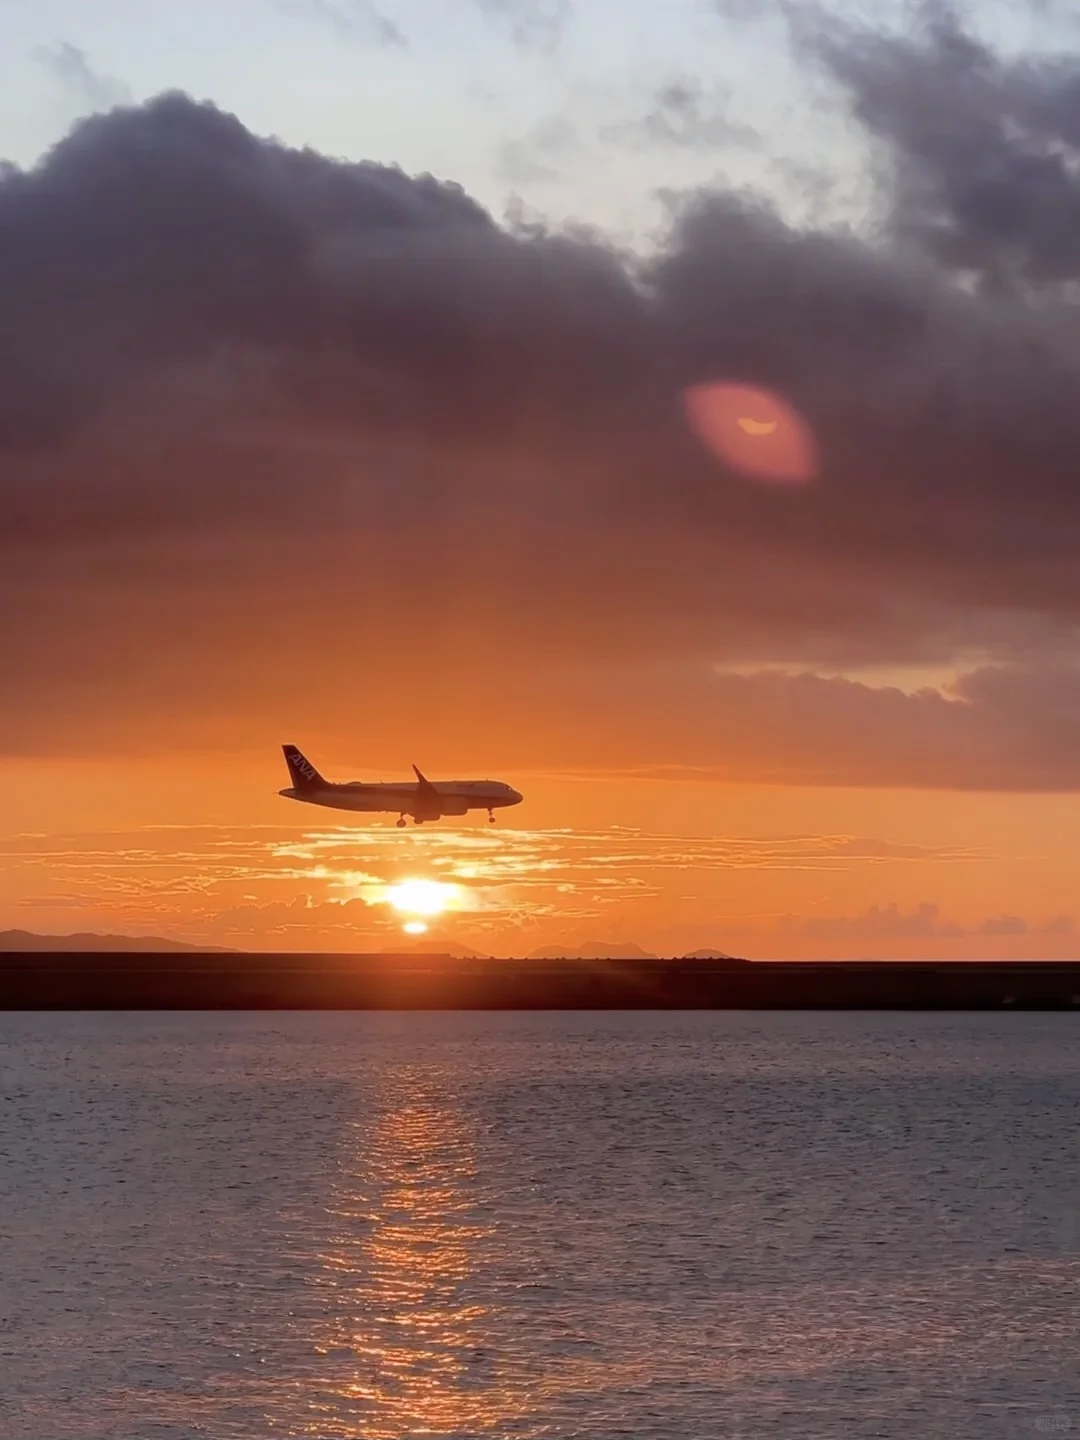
x=210, y=853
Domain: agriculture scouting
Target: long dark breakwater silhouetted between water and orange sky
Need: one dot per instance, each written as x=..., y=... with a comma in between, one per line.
x=237, y=981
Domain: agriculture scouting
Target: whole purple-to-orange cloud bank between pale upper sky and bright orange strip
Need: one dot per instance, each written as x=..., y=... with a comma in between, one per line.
x=273, y=426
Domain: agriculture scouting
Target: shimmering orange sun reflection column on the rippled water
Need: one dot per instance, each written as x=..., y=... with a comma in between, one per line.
x=397, y=1278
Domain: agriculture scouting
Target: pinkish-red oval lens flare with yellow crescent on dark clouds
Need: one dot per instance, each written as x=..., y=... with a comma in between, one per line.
x=754, y=431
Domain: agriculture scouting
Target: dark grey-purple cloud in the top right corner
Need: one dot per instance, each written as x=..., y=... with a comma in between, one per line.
x=983, y=153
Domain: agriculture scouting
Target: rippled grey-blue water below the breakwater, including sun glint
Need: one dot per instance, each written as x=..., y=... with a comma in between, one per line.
x=650, y=1226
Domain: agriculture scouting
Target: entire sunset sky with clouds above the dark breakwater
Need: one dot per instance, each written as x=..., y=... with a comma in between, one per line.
x=343, y=364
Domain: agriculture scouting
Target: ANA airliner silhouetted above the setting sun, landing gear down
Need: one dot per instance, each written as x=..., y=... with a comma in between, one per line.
x=424, y=800
